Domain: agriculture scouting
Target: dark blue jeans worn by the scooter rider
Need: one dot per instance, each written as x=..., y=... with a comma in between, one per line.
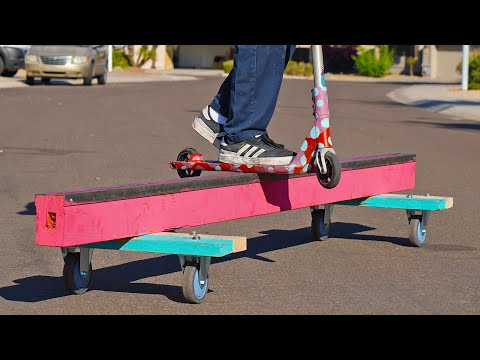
x=249, y=94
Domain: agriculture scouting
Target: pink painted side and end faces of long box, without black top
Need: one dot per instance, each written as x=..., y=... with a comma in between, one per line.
x=61, y=224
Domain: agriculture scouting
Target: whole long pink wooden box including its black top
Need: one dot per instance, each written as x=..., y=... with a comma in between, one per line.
x=102, y=214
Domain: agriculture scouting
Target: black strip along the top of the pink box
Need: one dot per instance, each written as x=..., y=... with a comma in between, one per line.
x=208, y=182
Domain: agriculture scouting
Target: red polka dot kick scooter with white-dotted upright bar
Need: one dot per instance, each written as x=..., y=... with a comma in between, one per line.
x=316, y=153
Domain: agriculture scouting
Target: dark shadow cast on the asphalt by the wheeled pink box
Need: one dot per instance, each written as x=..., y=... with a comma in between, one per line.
x=123, y=277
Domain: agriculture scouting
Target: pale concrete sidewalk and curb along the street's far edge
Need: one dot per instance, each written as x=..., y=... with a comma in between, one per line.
x=441, y=97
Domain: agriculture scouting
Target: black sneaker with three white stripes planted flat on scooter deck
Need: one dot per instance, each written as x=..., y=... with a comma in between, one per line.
x=259, y=150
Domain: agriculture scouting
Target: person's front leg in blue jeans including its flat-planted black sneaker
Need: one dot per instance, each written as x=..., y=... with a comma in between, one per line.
x=255, y=84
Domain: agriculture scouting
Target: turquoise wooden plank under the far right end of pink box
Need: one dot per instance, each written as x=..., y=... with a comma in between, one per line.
x=391, y=201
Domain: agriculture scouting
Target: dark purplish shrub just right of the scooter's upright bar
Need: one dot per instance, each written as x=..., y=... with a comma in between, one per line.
x=339, y=58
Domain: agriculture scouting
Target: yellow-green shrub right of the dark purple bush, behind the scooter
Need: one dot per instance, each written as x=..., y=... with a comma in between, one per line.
x=375, y=62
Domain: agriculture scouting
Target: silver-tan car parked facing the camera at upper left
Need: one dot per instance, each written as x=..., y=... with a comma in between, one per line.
x=85, y=62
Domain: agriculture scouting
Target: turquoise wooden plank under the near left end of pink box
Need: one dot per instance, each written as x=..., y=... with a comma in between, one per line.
x=166, y=244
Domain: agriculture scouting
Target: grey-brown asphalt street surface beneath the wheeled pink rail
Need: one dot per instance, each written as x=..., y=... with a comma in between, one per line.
x=63, y=137
